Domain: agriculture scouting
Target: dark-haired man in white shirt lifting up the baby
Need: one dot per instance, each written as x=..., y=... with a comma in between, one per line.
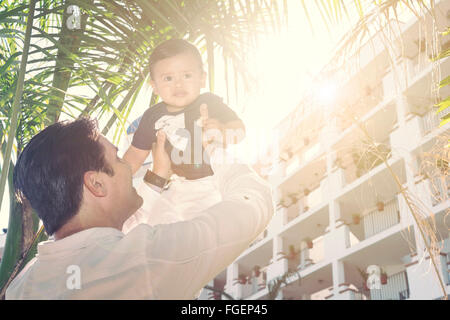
x=83, y=193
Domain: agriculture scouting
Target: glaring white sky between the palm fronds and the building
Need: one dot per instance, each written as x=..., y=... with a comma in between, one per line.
x=283, y=64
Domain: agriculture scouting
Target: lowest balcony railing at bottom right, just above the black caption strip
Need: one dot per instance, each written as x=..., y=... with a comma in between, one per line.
x=396, y=288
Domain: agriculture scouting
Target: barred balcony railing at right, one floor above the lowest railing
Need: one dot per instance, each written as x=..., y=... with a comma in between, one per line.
x=377, y=221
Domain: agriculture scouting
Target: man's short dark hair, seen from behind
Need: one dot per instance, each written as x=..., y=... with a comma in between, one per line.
x=49, y=172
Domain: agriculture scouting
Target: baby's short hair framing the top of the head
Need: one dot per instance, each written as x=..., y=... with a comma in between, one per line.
x=171, y=48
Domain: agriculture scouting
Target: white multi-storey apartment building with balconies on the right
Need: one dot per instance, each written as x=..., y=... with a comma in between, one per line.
x=345, y=165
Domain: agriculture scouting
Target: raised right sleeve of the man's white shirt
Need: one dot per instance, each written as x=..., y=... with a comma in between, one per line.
x=183, y=257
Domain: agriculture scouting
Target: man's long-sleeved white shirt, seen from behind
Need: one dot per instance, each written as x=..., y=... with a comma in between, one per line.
x=172, y=261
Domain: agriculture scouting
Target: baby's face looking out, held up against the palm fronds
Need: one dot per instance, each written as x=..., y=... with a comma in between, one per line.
x=178, y=80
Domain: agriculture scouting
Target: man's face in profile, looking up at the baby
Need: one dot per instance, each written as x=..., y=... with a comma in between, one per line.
x=122, y=196
